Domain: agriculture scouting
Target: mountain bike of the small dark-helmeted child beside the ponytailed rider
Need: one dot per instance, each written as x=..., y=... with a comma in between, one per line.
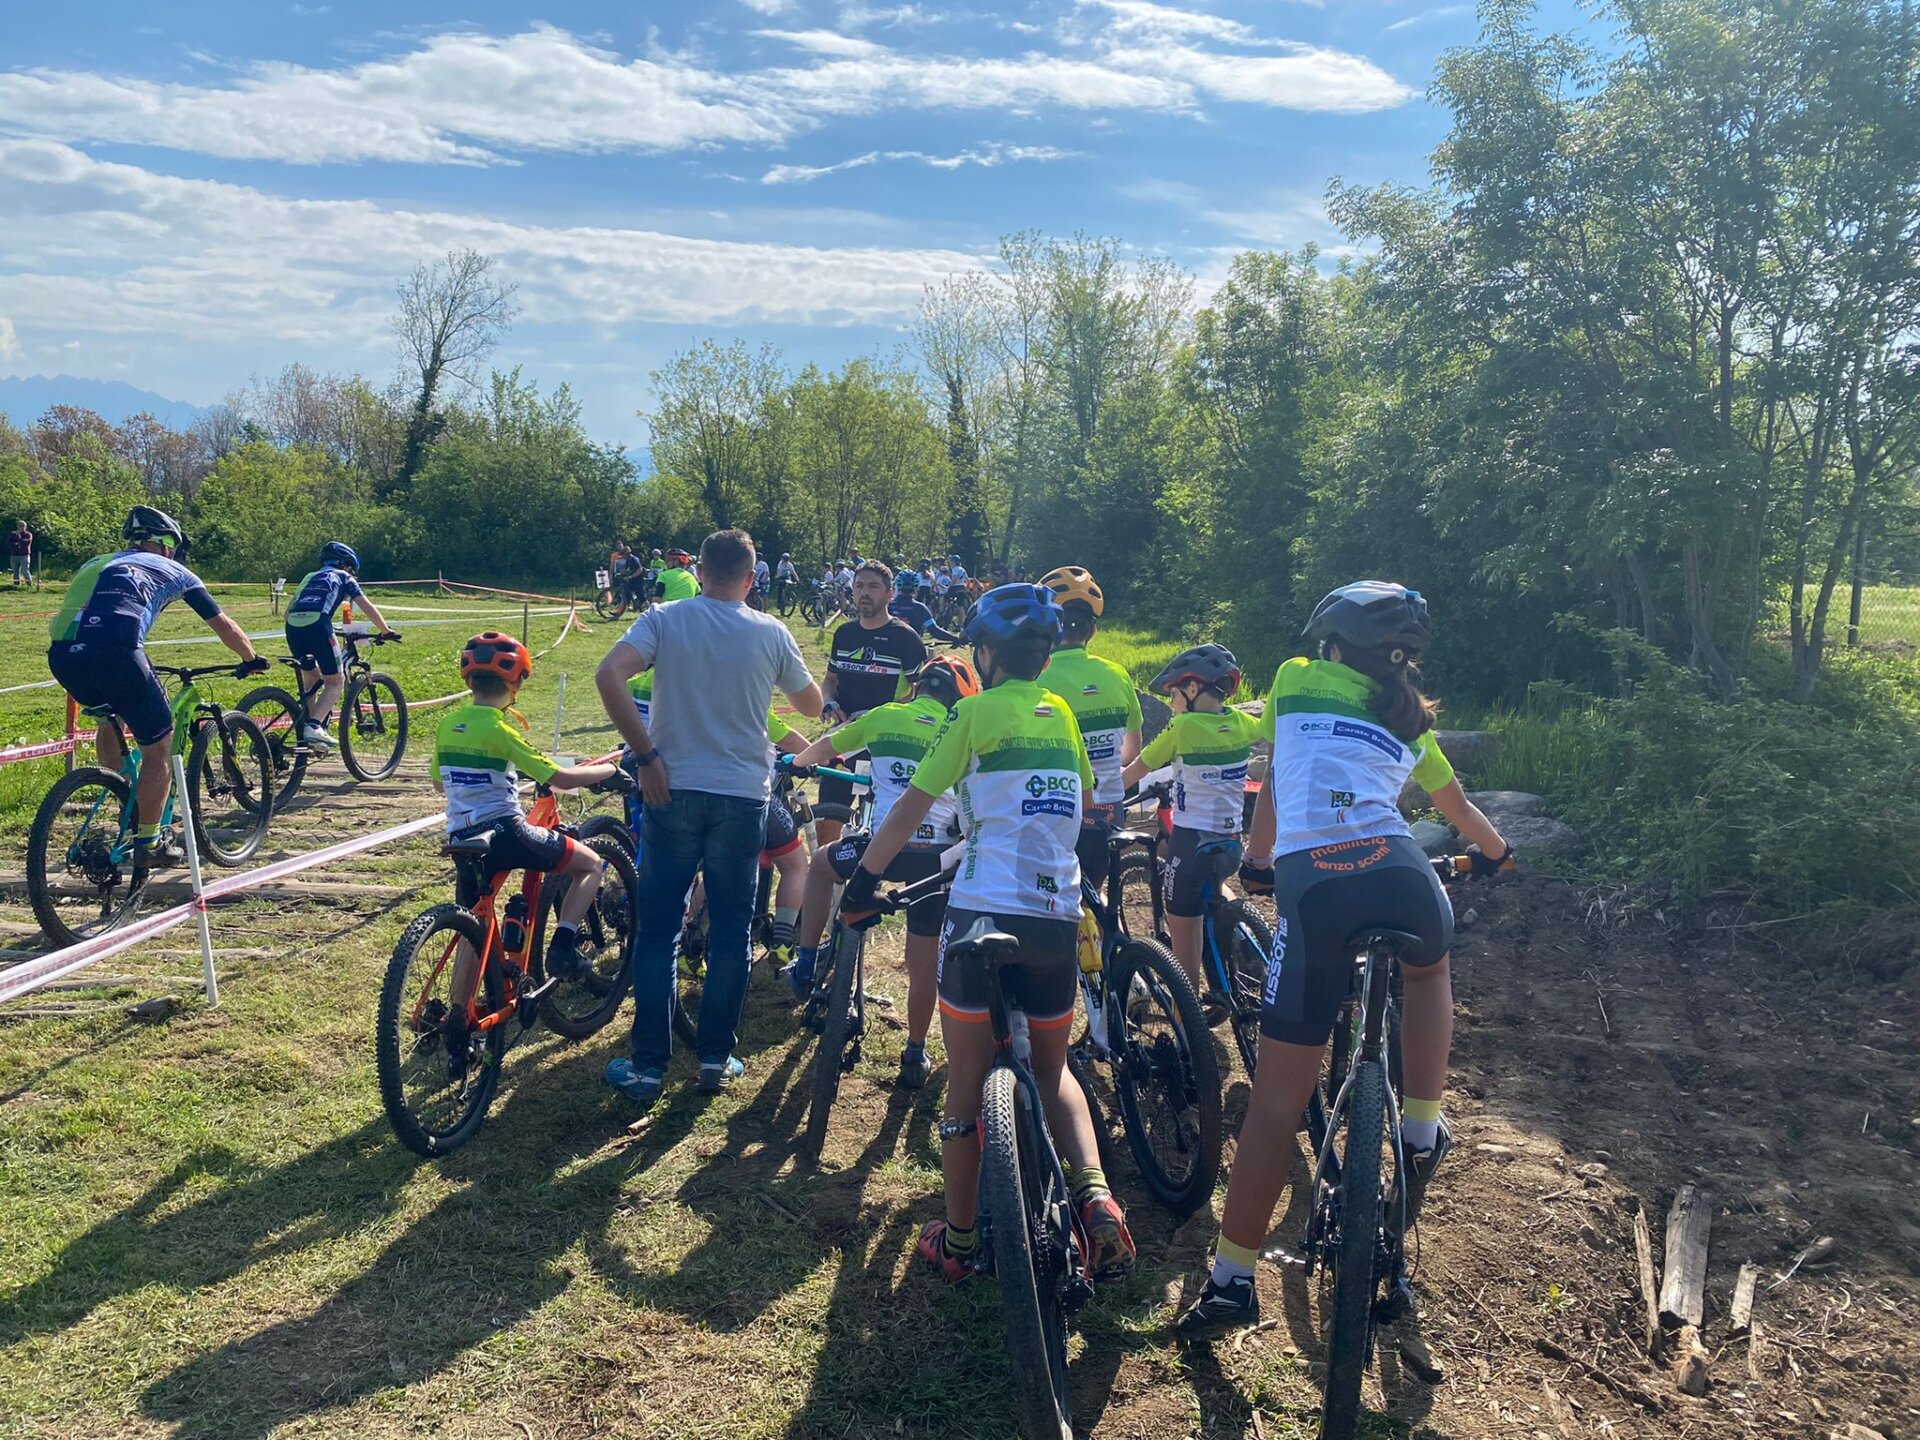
x=1236, y=938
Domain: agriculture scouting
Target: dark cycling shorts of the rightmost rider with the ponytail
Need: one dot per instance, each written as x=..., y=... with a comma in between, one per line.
x=1322, y=898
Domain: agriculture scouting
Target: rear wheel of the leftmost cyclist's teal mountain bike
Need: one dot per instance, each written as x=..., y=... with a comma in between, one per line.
x=76, y=884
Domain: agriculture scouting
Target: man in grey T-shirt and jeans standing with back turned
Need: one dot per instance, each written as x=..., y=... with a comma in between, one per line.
x=706, y=773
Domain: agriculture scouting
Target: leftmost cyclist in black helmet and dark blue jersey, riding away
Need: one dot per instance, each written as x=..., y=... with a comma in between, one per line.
x=99, y=658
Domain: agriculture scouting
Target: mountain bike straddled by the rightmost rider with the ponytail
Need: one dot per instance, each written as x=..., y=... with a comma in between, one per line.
x=1358, y=1222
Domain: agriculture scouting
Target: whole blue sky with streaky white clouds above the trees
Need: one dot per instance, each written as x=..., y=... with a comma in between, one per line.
x=199, y=193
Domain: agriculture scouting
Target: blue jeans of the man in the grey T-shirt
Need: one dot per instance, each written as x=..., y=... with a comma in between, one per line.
x=723, y=836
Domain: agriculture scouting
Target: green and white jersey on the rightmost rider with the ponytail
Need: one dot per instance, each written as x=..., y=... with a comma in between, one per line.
x=1337, y=771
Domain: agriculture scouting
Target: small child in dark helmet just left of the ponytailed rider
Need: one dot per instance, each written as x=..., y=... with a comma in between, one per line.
x=1209, y=748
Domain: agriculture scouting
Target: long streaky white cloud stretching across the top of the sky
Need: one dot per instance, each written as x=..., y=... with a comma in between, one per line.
x=477, y=99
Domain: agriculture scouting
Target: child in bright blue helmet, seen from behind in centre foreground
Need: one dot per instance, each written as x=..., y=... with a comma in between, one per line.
x=1019, y=769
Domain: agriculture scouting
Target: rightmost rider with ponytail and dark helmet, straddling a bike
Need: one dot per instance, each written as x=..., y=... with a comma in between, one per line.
x=1349, y=731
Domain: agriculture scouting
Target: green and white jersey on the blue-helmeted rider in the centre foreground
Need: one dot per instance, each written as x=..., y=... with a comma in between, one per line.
x=1019, y=769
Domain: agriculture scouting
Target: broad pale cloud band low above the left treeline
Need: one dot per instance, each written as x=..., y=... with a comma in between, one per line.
x=110, y=249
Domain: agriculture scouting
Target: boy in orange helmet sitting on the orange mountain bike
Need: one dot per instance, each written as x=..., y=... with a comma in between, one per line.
x=479, y=759
